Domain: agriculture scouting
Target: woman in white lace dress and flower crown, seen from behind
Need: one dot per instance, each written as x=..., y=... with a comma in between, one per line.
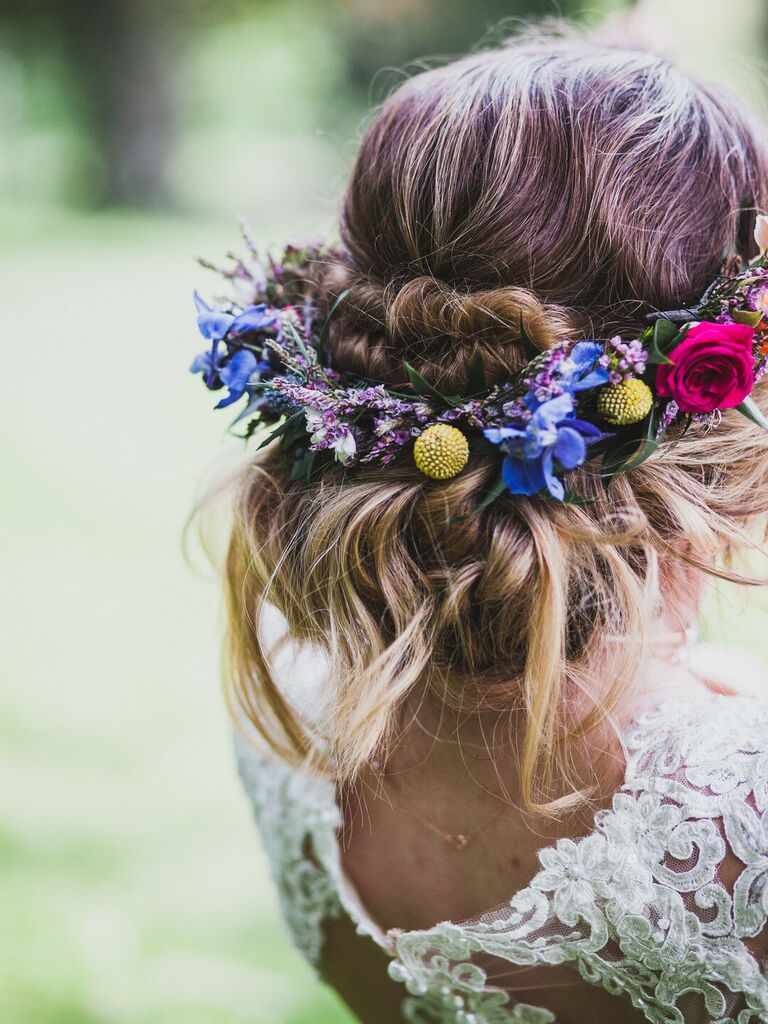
x=511, y=434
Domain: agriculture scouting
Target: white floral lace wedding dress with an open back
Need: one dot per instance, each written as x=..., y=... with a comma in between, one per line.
x=664, y=904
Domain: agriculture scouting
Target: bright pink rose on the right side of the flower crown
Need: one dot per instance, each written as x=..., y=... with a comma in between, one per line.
x=712, y=368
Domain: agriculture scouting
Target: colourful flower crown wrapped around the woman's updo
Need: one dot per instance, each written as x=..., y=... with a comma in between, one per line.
x=579, y=400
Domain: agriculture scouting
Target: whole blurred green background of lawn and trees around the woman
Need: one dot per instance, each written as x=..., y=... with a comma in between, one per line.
x=133, y=889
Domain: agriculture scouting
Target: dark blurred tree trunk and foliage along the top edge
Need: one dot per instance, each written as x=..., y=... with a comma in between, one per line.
x=120, y=59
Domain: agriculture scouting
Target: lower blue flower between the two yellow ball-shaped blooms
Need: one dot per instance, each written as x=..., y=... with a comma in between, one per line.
x=531, y=449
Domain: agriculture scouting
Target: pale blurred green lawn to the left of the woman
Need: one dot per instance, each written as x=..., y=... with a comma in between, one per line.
x=133, y=887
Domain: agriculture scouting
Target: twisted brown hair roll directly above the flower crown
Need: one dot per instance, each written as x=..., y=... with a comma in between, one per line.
x=437, y=327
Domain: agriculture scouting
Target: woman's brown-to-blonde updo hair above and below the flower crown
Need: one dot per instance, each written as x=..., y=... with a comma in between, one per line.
x=575, y=188
